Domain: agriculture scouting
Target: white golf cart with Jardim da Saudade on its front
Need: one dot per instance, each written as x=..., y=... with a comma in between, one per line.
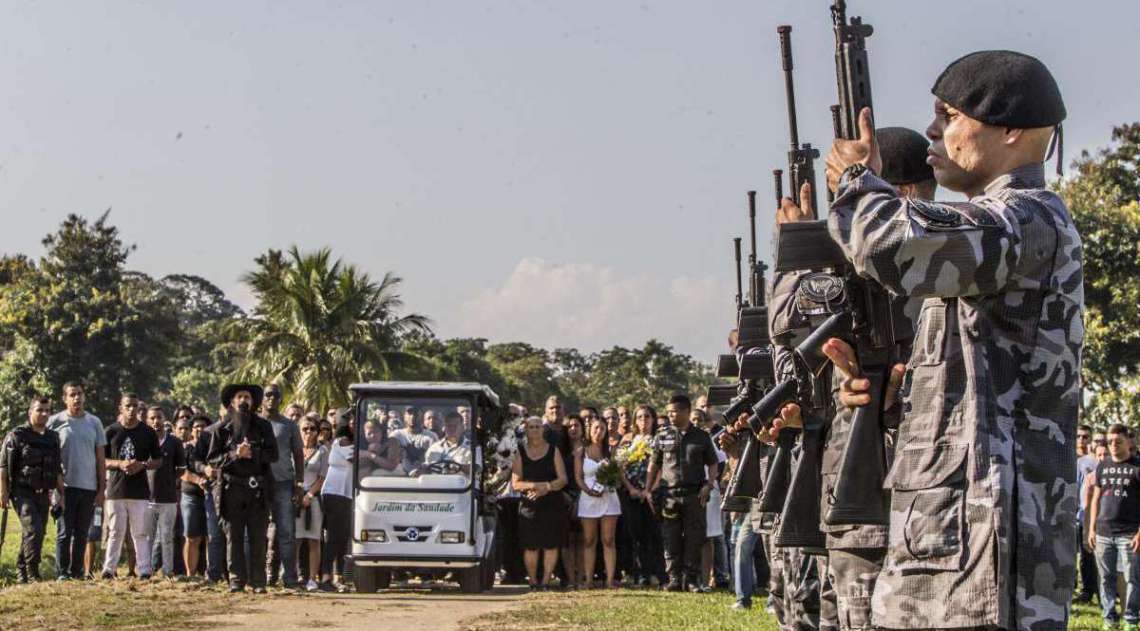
x=428, y=515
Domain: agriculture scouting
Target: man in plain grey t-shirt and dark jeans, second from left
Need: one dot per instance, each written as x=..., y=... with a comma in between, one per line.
x=83, y=441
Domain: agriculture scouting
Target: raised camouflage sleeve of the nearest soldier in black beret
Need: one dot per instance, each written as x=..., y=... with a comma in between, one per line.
x=925, y=249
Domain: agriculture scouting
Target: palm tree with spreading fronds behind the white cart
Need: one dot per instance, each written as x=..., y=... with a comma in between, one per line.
x=321, y=325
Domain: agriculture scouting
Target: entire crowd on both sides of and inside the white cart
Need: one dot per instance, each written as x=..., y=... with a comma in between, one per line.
x=170, y=494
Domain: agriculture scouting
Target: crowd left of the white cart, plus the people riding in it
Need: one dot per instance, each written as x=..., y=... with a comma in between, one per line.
x=247, y=499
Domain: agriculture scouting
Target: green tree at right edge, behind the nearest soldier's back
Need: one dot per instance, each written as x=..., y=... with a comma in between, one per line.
x=1103, y=198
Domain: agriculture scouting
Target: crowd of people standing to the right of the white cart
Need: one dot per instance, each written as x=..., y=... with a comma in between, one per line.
x=623, y=497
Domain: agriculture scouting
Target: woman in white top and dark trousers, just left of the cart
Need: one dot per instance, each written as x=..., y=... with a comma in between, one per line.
x=337, y=504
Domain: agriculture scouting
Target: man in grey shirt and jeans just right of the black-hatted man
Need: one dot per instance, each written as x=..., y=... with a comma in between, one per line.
x=288, y=432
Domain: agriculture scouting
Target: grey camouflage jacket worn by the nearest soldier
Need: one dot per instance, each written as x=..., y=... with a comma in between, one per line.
x=984, y=477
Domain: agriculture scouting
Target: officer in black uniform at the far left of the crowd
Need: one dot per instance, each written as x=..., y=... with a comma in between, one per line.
x=31, y=468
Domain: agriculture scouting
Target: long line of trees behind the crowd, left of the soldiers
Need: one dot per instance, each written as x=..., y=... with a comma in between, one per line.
x=319, y=325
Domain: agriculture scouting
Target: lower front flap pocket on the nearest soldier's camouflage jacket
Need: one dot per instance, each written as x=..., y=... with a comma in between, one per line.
x=929, y=507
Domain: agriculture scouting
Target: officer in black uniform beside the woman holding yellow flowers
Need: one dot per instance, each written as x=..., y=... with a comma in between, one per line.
x=681, y=478
